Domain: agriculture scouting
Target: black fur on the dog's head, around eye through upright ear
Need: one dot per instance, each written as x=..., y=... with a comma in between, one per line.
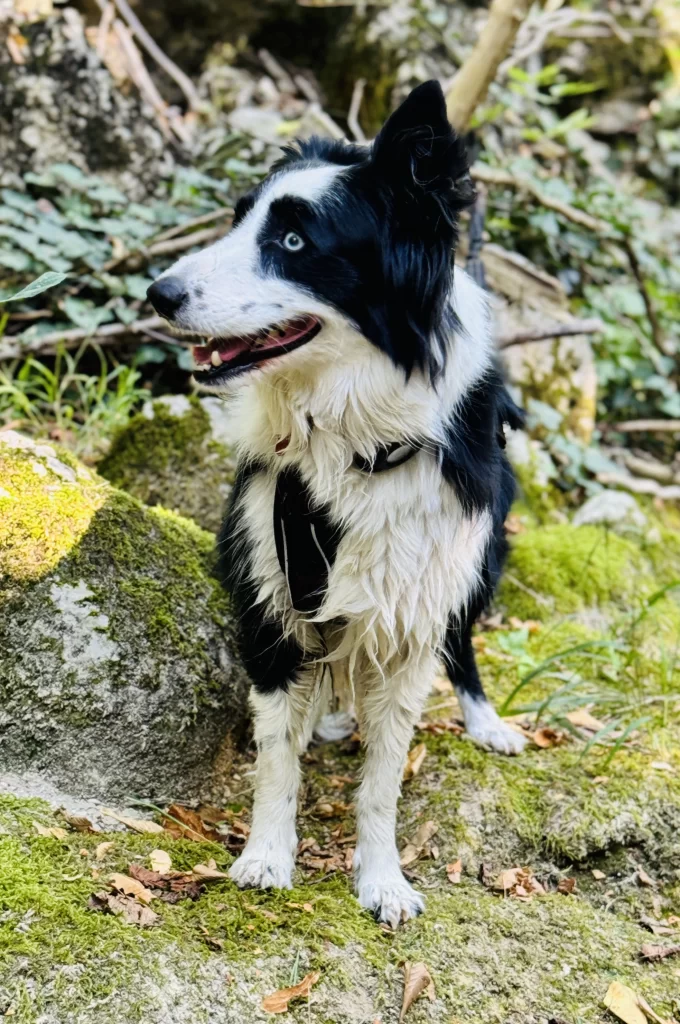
x=380, y=247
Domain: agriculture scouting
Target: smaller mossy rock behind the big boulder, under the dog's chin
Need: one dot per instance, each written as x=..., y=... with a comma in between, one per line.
x=172, y=455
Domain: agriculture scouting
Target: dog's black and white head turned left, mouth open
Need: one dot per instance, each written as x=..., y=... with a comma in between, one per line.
x=337, y=235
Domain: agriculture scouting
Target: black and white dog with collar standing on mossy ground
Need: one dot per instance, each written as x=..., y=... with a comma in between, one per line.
x=365, y=533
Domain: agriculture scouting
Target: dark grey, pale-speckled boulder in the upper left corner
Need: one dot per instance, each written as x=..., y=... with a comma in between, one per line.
x=61, y=105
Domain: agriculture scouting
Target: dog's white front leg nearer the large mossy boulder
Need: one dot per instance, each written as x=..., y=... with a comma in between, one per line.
x=269, y=859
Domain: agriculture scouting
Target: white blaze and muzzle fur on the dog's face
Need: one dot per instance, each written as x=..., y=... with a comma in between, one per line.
x=229, y=292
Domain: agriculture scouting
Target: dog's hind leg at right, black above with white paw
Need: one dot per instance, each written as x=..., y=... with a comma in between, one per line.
x=483, y=722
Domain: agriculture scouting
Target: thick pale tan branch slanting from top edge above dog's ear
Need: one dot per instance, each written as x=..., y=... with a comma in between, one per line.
x=496, y=39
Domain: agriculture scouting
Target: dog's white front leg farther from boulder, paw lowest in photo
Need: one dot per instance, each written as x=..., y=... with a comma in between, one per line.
x=389, y=712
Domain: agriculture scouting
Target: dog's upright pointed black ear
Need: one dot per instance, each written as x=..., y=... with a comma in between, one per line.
x=419, y=150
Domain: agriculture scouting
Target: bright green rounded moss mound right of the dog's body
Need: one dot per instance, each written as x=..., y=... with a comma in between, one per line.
x=566, y=569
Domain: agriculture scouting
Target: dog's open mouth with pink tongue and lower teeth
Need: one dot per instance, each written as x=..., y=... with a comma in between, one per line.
x=219, y=359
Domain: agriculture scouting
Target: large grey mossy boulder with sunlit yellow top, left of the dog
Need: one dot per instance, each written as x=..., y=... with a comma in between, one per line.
x=117, y=676
